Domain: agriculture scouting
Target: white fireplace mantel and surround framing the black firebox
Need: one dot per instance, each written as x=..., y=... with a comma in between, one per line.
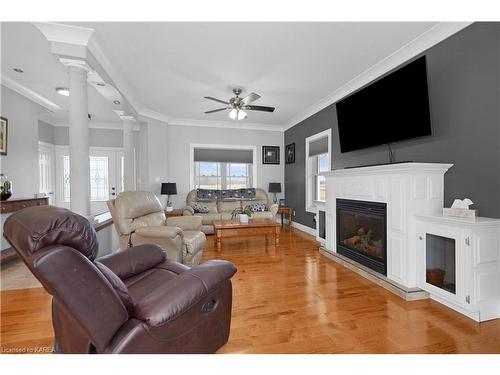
x=408, y=189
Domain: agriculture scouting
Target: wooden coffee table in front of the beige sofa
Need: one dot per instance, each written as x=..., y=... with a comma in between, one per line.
x=233, y=228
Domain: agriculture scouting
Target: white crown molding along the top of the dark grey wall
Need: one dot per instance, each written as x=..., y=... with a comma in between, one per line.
x=416, y=46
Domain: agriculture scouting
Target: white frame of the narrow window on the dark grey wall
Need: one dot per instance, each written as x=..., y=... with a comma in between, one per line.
x=312, y=205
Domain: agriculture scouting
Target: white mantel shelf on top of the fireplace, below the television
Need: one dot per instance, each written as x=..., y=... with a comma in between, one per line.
x=390, y=169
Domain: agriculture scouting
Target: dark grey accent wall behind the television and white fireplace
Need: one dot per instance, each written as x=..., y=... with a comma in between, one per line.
x=464, y=91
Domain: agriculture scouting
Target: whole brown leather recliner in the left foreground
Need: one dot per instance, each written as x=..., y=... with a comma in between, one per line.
x=132, y=301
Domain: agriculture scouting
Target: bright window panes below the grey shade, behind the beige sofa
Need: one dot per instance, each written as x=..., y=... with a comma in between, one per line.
x=222, y=175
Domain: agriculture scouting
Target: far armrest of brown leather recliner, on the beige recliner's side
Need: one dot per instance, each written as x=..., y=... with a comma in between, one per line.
x=134, y=260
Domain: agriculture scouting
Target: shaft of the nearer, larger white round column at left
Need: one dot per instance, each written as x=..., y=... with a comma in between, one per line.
x=79, y=140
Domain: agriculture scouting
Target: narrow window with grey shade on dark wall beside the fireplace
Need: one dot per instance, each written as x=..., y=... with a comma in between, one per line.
x=318, y=156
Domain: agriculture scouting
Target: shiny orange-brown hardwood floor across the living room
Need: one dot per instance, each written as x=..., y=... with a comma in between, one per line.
x=294, y=300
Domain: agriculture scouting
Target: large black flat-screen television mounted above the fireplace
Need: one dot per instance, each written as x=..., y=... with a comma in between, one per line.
x=392, y=109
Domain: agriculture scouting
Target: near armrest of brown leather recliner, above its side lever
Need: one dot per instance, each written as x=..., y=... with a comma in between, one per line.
x=187, y=289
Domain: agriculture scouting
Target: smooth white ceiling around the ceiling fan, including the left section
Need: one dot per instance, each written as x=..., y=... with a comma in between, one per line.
x=170, y=66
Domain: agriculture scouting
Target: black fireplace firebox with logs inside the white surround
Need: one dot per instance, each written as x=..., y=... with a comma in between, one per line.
x=362, y=232
